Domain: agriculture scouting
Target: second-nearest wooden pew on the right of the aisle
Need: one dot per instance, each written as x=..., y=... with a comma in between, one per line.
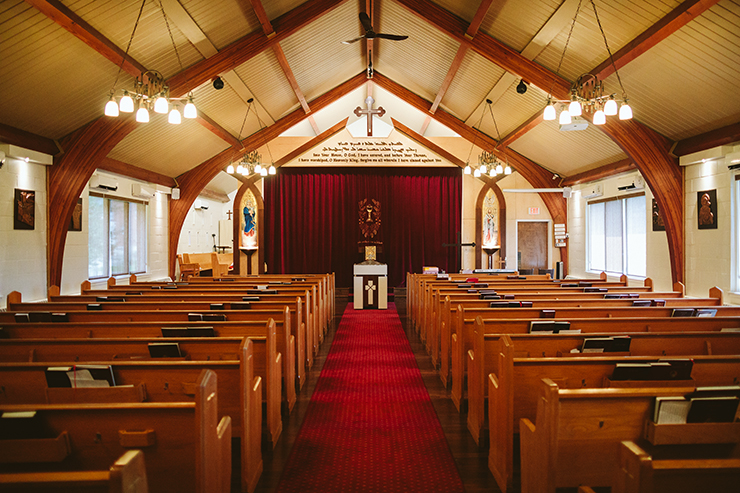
x=578, y=434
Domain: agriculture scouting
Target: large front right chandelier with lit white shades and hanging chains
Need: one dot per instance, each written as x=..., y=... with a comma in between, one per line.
x=587, y=92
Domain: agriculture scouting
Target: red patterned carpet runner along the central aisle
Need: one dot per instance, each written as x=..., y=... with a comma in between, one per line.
x=370, y=425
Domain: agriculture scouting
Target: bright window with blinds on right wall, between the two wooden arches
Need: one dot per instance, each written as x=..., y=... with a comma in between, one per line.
x=617, y=236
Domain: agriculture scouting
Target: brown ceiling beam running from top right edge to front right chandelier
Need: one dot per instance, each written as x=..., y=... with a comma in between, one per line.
x=672, y=22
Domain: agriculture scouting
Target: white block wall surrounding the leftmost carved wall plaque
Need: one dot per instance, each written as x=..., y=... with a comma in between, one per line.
x=22, y=252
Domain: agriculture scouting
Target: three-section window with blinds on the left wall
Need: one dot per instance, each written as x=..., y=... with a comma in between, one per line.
x=117, y=243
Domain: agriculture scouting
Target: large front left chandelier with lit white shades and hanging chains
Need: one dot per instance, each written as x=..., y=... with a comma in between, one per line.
x=150, y=92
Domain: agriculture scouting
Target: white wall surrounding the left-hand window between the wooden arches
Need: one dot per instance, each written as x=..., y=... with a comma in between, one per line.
x=75, y=264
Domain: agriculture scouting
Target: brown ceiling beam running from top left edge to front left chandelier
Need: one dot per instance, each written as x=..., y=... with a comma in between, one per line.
x=73, y=23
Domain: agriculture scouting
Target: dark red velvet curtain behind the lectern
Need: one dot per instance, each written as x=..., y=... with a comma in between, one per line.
x=312, y=219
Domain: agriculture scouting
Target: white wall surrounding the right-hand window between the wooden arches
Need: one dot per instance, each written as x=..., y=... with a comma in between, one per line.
x=658, y=260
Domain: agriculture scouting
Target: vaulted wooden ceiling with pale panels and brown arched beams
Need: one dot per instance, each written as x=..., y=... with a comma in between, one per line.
x=672, y=57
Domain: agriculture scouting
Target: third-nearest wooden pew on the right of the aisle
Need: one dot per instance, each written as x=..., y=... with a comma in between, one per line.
x=514, y=392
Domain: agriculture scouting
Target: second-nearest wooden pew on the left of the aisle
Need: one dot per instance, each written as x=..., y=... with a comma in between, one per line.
x=185, y=447
